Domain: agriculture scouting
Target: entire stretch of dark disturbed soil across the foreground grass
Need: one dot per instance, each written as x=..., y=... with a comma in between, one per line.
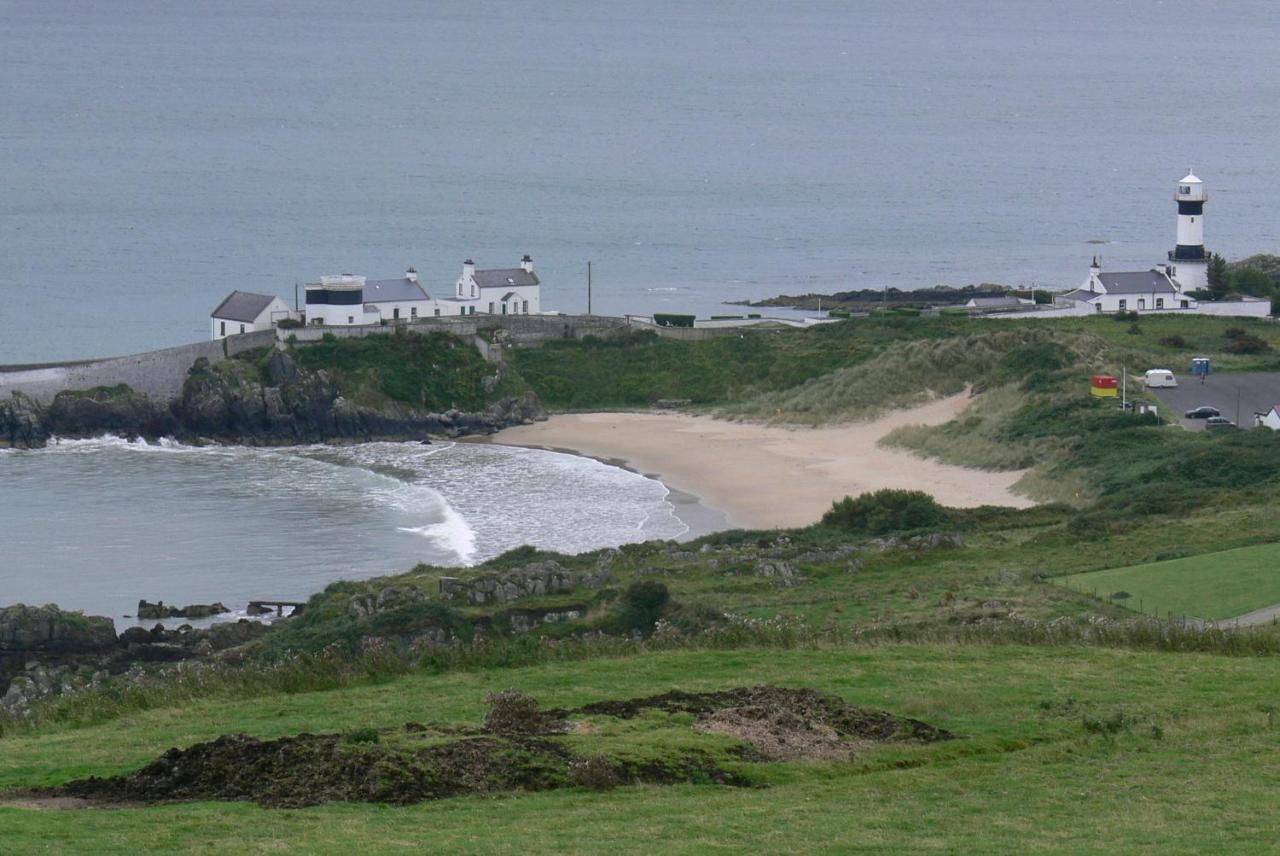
x=519, y=748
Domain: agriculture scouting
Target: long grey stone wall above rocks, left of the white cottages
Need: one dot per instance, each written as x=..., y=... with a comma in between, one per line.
x=159, y=374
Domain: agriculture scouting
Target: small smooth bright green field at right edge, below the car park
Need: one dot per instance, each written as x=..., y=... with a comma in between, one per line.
x=1215, y=585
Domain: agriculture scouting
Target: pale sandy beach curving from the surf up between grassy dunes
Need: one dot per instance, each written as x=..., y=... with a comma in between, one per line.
x=765, y=477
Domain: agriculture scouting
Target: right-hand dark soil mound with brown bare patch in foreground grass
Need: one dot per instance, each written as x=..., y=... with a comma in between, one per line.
x=779, y=721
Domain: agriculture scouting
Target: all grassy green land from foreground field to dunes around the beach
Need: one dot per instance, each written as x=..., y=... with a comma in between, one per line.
x=1081, y=726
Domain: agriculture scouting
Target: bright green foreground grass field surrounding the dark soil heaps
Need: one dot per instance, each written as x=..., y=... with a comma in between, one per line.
x=1182, y=775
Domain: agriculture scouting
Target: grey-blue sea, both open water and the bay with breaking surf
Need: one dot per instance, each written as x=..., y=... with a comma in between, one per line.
x=157, y=155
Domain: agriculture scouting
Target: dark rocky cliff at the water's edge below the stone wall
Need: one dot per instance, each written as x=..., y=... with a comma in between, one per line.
x=291, y=406
